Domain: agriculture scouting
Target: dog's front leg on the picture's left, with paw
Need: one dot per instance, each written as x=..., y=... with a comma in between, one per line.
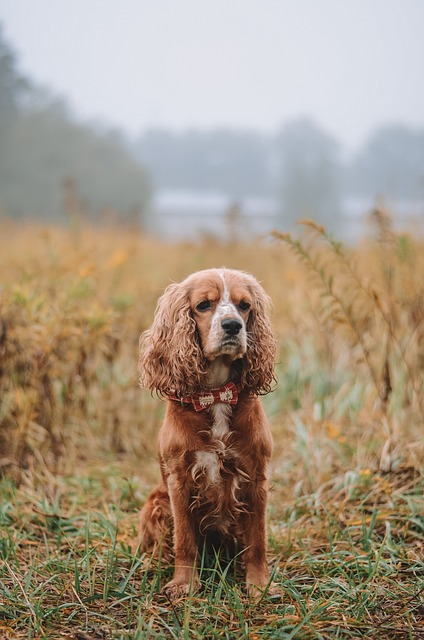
x=185, y=543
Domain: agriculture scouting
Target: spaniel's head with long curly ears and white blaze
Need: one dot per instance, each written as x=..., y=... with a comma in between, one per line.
x=212, y=313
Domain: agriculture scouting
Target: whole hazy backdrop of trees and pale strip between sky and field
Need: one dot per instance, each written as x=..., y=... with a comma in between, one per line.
x=188, y=183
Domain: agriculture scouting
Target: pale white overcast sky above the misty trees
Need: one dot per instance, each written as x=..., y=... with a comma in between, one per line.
x=351, y=65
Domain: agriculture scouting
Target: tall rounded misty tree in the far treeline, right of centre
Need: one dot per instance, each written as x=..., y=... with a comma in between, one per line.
x=309, y=169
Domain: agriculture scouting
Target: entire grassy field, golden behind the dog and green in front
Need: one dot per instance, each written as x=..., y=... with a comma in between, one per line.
x=346, y=513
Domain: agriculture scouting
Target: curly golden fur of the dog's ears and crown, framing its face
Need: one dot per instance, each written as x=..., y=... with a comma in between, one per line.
x=171, y=356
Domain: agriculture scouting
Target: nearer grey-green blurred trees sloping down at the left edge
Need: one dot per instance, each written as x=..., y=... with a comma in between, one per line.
x=42, y=147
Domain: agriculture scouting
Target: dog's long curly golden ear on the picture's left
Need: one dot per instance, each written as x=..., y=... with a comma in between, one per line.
x=171, y=360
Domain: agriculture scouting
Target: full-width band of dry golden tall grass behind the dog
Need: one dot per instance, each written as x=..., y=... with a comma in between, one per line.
x=73, y=304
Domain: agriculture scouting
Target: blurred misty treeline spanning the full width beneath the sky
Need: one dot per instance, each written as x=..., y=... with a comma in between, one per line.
x=50, y=164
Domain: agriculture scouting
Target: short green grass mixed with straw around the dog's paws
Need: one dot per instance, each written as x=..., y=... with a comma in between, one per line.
x=348, y=560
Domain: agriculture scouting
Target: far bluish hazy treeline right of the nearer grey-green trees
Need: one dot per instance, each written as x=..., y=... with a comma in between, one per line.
x=301, y=165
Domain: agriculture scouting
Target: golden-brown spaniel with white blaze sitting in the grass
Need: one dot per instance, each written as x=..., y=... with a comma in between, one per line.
x=210, y=352
